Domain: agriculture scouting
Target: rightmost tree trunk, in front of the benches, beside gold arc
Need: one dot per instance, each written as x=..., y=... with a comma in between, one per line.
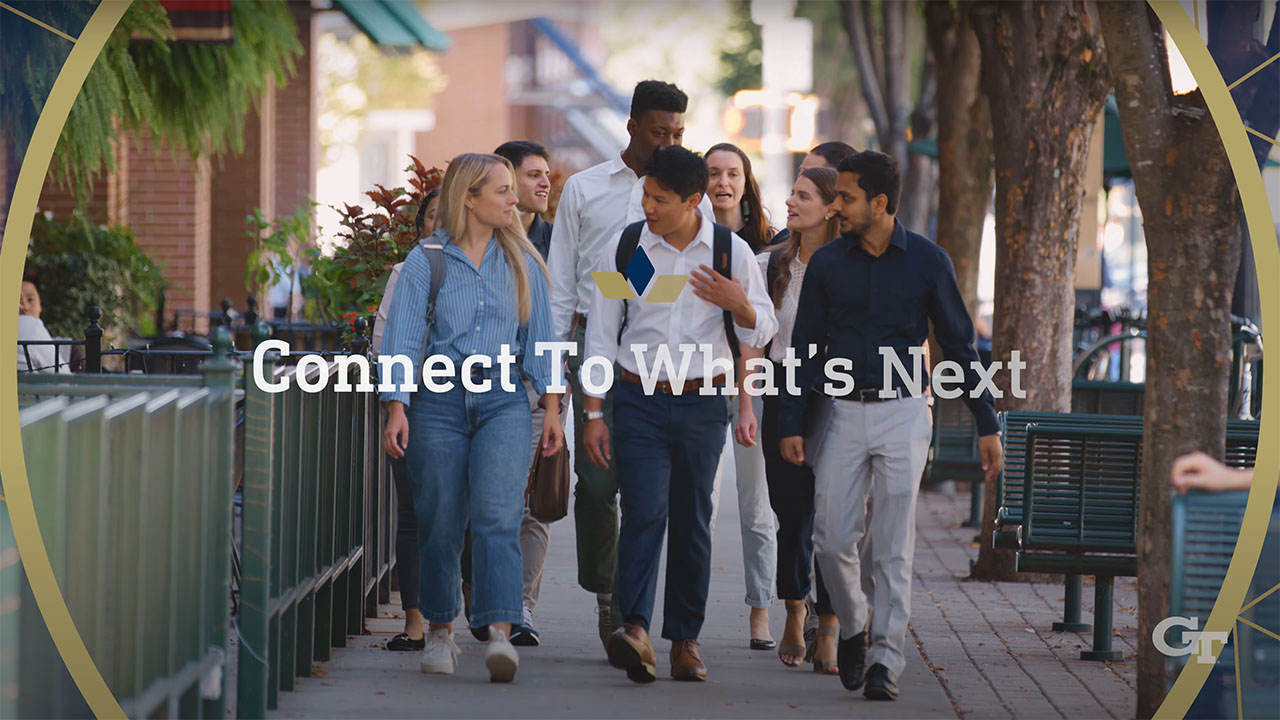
x=1191, y=208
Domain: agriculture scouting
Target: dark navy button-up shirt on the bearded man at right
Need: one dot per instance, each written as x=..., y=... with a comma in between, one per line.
x=854, y=303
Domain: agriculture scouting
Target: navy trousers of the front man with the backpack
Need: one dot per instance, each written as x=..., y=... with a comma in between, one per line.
x=666, y=450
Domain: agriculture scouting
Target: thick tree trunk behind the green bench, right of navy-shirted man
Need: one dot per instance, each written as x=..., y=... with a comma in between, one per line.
x=1044, y=70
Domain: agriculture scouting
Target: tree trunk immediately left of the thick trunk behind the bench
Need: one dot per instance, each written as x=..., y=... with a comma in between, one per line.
x=964, y=143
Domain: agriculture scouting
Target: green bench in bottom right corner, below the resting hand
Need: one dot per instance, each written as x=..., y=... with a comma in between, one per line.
x=1204, y=535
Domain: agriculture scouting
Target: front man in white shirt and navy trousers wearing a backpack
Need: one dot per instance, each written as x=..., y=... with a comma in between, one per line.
x=670, y=431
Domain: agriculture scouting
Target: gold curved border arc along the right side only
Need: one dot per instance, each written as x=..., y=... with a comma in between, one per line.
x=1258, y=215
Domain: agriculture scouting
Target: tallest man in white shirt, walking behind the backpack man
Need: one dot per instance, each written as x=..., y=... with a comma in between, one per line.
x=593, y=208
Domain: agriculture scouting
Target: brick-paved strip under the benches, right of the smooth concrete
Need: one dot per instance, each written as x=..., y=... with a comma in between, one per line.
x=991, y=645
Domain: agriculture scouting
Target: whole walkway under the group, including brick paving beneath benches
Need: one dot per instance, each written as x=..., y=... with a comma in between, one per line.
x=989, y=646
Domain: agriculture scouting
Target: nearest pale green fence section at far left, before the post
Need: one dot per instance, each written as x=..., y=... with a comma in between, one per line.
x=138, y=526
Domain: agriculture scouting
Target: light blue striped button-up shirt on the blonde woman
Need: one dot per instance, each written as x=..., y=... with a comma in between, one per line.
x=476, y=315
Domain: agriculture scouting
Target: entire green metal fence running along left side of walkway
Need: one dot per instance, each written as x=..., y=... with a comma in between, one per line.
x=132, y=480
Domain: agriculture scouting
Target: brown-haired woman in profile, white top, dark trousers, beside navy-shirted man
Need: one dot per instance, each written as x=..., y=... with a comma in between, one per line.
x=811, y=226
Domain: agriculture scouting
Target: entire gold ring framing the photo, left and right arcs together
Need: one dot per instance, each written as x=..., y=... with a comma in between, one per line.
x=48, y=130
